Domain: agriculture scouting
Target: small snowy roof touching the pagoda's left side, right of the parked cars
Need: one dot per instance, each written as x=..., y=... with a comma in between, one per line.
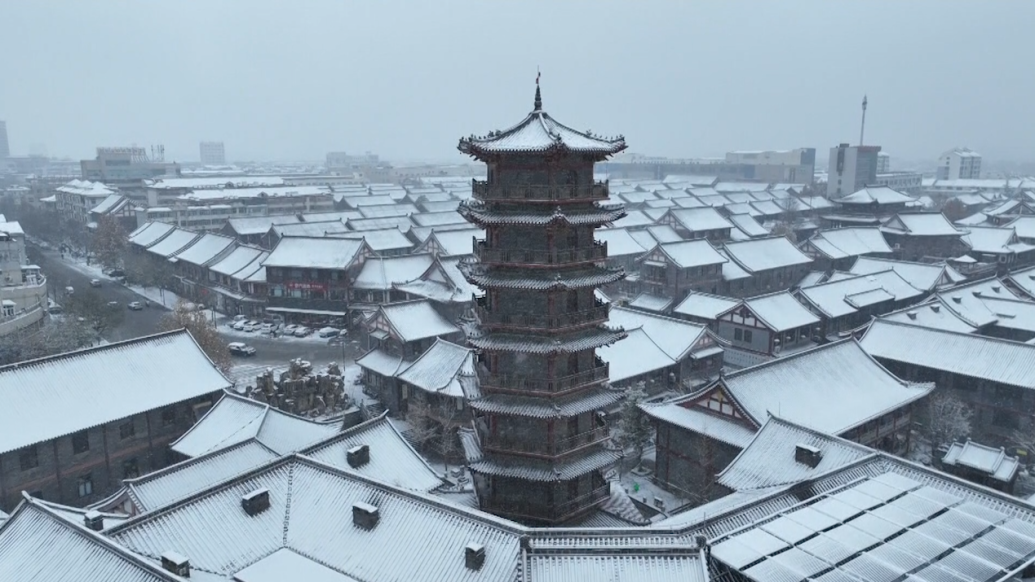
x=446, y=369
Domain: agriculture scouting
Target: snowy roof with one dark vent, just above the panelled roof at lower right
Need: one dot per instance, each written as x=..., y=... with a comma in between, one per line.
x=770, y=459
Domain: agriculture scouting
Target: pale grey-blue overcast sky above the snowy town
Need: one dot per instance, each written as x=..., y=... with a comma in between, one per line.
x=291, y=81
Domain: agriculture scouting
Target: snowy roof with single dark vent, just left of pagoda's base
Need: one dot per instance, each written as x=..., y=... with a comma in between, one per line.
x=393, y=460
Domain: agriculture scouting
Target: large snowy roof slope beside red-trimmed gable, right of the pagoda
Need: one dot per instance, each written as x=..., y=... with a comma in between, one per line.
x=832, y=389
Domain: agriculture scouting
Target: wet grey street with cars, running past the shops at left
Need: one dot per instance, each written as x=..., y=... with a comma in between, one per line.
x=271, y=353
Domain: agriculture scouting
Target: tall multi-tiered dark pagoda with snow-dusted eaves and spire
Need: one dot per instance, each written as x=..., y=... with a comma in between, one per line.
x=538, y=450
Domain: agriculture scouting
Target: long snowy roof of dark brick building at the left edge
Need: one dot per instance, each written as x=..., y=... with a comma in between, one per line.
x=52, y=397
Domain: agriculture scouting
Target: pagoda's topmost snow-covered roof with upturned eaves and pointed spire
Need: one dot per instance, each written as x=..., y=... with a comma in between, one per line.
x=540, y=133
